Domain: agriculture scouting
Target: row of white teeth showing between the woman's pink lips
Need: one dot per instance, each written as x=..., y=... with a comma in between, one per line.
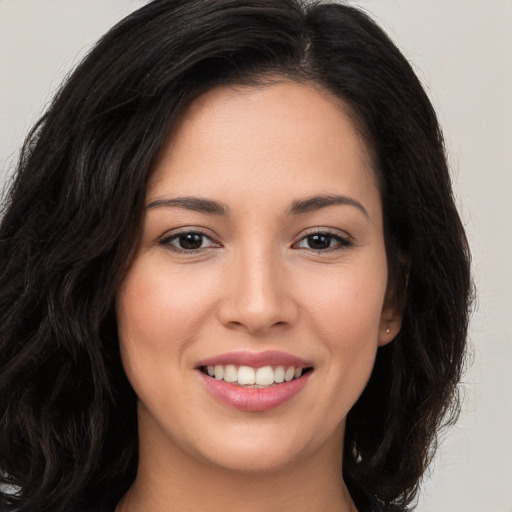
x=250, y=377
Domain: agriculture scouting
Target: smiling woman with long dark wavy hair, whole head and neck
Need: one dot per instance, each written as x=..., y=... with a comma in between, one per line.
x=233, y=275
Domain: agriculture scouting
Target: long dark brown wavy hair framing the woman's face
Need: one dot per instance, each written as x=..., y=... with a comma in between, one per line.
x=72, y=218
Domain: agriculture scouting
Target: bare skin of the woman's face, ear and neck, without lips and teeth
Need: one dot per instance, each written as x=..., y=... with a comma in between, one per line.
x=255, y=284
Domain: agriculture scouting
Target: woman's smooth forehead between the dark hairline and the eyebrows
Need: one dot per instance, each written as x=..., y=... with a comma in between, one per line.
x=280, y=134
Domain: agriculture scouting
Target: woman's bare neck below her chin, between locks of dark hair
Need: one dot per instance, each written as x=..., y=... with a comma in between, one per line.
x=171, y=480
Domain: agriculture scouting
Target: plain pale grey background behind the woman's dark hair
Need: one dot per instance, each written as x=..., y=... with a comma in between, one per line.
x=462, y=51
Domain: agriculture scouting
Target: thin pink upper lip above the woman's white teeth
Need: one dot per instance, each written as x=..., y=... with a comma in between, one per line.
x=256, y=359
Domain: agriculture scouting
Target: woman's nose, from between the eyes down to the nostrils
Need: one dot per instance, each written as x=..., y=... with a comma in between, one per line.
x=257, y=295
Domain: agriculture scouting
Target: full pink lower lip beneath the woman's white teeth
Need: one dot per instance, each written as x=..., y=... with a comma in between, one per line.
x=254, y=399
